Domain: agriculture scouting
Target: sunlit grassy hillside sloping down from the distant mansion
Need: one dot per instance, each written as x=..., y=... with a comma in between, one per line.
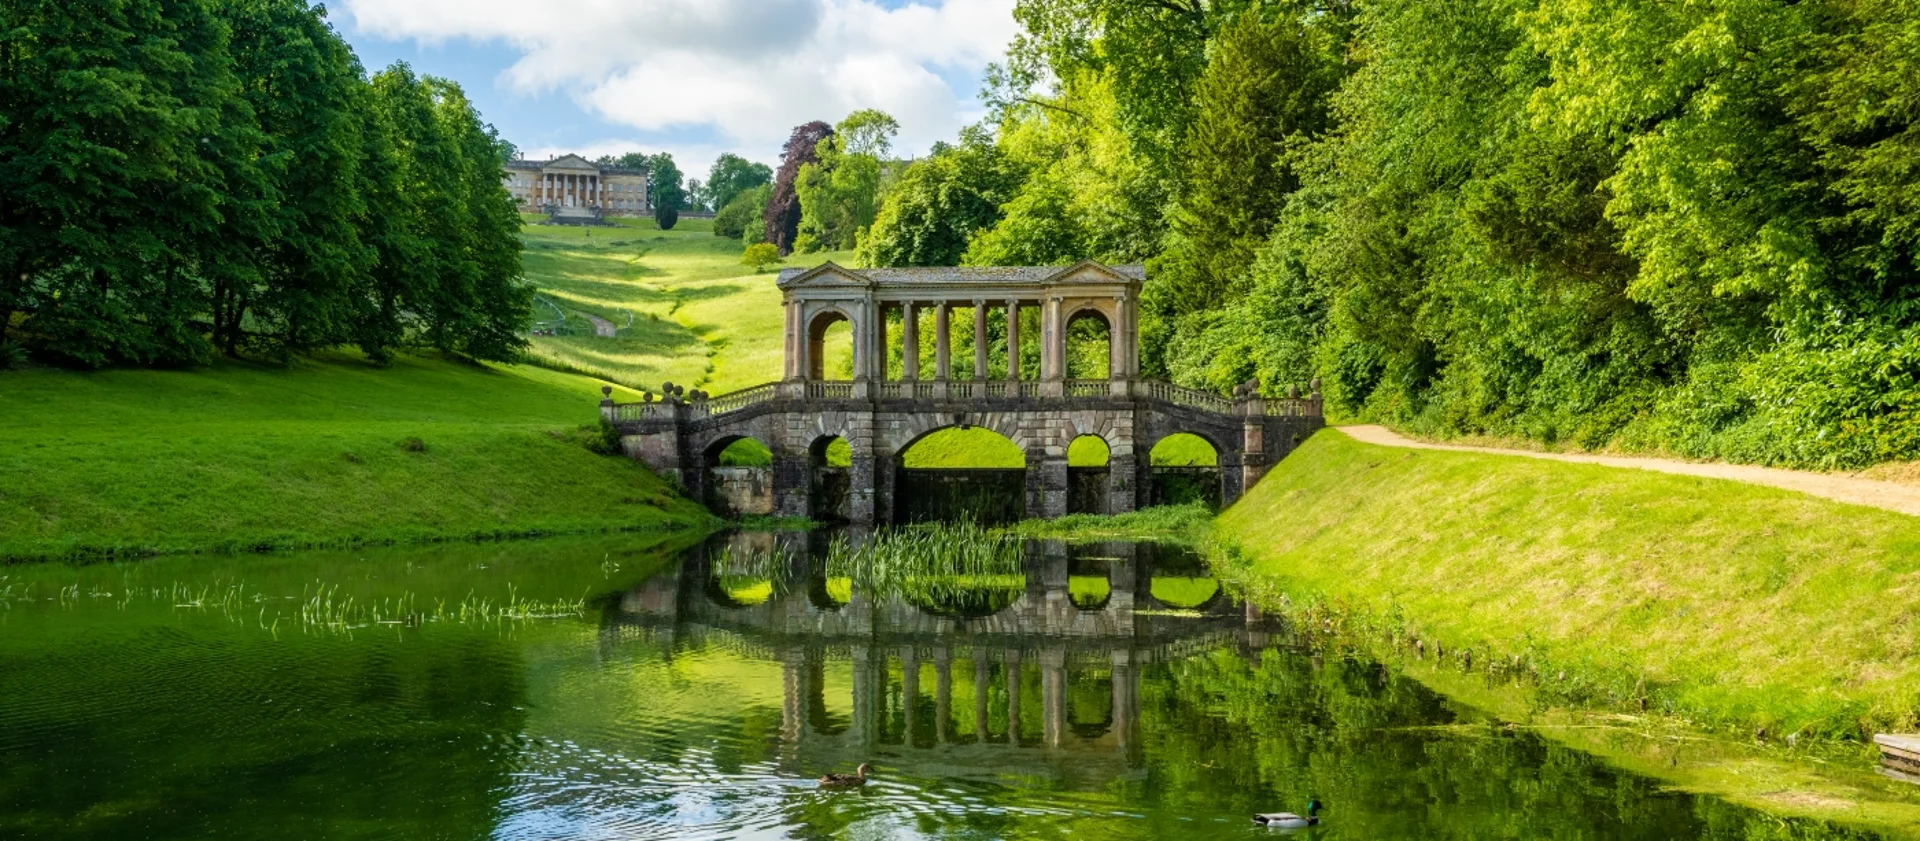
x=700, y=320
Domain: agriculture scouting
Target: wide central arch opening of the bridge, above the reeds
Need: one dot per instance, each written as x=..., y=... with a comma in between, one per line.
x=961, y=473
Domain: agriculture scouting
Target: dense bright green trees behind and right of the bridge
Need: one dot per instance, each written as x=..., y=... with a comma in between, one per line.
x=1677, y=228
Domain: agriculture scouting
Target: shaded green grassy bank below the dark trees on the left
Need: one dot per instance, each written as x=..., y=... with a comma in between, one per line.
x=329, y=452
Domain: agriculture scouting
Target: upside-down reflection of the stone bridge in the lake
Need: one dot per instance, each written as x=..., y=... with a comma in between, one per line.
x=1045, y=681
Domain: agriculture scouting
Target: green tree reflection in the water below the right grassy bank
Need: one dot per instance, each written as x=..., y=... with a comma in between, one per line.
x=1291, y=727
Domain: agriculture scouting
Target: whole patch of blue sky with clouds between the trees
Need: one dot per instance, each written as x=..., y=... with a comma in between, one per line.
x=692, y=78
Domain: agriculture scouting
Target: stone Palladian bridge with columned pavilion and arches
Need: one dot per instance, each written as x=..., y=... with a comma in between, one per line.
x=880, y=414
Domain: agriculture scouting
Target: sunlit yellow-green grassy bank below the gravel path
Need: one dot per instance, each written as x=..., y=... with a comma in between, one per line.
x=1729, y=606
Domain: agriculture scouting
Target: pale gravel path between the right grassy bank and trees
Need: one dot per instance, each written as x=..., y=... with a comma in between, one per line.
x=1869, y=493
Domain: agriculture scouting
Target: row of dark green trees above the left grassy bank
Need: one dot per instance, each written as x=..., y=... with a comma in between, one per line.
x=197, y=178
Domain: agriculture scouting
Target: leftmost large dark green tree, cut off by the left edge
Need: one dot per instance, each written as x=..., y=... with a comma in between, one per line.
x=120, y=128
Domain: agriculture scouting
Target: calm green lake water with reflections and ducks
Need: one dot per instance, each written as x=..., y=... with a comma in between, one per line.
x=638, y=688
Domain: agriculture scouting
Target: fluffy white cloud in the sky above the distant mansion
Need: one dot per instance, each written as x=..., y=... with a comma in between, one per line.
x=750, y=70
